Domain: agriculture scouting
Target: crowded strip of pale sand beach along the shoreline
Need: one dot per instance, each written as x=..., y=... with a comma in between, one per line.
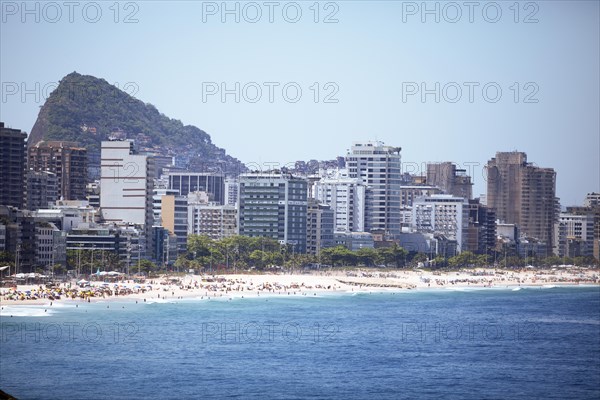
x=168, y=288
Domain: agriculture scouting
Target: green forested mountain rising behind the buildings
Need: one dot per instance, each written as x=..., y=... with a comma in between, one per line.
x=87, y=110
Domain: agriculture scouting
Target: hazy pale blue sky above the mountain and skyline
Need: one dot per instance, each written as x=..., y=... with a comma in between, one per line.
x=375, y=61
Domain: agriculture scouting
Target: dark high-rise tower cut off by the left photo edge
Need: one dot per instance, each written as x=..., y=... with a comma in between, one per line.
x=12, y=166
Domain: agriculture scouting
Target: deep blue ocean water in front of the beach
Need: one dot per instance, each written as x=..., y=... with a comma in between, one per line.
x=456, y=344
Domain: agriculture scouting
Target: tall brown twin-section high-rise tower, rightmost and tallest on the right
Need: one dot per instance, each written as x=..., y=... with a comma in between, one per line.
x=523, y=194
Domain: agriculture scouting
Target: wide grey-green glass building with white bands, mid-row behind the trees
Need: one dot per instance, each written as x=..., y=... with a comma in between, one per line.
x=274, y=205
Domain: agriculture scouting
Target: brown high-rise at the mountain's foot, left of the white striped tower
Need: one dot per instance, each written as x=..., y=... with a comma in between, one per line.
x=67, y=160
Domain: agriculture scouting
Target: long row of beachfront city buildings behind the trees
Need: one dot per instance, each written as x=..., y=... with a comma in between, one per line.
x=143, y=206
